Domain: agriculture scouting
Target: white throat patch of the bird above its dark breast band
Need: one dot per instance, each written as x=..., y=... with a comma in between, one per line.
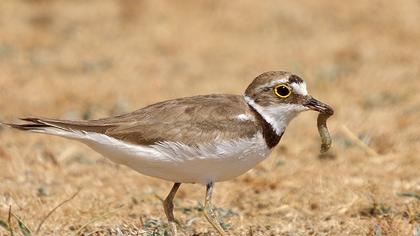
x=277, y=116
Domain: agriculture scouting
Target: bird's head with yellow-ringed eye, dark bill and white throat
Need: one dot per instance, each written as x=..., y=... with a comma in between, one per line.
x=279, y=96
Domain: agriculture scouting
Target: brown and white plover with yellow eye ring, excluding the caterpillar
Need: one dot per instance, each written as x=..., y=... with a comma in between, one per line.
x=200, y=139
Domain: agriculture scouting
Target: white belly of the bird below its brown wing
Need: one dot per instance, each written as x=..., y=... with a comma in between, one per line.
x=211, y=162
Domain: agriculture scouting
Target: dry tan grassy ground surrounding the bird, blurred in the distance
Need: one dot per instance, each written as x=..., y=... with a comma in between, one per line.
x=87, y=59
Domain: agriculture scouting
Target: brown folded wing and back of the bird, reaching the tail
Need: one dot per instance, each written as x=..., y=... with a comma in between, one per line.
x=188, y=120
